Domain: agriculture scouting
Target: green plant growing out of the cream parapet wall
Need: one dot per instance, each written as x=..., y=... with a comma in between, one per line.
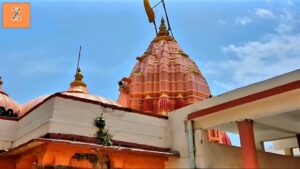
x=103, y=136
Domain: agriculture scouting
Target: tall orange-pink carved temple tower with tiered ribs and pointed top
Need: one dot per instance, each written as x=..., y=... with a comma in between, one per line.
x=163, y=79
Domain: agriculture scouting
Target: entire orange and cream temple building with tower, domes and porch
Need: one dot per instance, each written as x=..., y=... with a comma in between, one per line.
x=165, y=117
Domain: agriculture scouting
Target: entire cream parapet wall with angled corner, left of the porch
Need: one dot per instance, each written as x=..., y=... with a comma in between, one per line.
x=60, y=115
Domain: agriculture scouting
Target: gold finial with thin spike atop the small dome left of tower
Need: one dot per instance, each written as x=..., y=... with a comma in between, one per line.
x=78, y=85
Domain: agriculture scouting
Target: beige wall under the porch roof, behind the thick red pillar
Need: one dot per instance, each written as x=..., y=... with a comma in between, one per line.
x=213, y=155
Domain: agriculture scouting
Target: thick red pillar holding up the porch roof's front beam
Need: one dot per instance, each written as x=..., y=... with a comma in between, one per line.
x=247, y=144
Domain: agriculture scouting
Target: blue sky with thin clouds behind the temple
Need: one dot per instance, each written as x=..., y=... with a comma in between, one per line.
x=234, y=43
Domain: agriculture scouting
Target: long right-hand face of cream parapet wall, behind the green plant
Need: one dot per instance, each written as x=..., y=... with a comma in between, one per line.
x=75, y=117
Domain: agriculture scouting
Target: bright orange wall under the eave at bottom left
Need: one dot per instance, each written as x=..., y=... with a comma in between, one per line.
x=57, y=154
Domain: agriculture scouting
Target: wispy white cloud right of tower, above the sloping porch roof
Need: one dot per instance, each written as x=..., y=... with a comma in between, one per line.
x=253, y=61
